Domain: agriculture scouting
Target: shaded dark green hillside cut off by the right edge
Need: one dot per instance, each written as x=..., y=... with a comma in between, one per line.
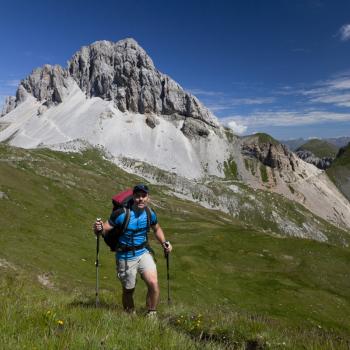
x=339, y=171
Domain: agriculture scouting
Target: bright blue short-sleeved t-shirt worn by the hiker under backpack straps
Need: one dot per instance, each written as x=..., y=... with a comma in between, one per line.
x=136, y=232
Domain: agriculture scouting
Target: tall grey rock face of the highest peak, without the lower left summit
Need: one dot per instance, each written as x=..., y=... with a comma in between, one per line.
x=124, y=73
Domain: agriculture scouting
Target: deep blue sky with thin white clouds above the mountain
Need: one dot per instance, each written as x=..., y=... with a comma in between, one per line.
x=280, y=67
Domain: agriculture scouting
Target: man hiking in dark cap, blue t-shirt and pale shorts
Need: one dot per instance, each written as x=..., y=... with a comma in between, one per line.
x=132, y=253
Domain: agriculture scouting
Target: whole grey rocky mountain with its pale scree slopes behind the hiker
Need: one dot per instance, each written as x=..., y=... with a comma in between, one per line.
x=53, y=111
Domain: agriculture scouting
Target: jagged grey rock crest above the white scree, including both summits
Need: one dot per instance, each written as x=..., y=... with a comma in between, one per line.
x=121, y=72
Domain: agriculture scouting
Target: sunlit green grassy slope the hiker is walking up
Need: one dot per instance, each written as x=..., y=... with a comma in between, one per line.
x=232, y=286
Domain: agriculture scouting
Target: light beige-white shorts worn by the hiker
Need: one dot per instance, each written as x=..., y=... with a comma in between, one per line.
x=127, y=269
